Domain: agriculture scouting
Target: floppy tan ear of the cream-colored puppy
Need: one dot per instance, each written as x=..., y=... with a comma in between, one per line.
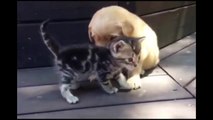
x=127, y=28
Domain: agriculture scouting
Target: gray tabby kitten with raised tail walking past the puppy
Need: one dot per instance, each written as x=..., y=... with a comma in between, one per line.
x=78, y=62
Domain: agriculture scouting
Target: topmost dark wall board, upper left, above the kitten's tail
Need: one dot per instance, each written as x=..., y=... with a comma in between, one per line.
x=58, y=10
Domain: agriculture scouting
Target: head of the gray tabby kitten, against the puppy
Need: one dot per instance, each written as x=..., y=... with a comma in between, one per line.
x=125, y=51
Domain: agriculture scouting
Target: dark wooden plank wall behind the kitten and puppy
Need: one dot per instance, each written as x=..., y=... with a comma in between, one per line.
x=171, y=21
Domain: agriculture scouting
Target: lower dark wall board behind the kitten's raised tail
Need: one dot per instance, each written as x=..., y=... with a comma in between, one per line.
x=31, y=50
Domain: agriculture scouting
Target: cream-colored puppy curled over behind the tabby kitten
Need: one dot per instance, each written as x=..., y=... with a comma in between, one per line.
x=112, y=21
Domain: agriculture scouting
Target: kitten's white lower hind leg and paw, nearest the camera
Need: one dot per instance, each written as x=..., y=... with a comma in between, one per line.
x=65, y=92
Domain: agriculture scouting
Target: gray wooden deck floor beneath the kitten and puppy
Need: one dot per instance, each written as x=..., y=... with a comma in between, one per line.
x=168, y=92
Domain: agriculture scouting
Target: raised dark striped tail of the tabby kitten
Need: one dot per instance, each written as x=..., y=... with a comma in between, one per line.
x=51, y=44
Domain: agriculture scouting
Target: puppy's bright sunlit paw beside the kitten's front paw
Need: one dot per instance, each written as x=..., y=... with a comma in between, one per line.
x=134, y=82
